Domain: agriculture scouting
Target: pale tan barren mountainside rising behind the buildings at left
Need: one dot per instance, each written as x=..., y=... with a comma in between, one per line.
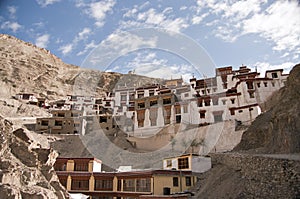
x=25, y=67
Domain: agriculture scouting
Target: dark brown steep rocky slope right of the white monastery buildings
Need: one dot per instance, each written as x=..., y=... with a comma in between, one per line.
x=278, y=129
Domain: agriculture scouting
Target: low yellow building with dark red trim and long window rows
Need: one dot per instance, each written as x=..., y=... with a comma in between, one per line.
x=82, y=175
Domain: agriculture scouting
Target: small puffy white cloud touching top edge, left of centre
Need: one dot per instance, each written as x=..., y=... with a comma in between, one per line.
x=98, y=11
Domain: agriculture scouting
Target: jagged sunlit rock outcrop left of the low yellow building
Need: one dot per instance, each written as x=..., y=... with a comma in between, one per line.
x=25, y=170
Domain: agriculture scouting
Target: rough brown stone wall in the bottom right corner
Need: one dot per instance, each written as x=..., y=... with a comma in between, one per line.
x=276, y=176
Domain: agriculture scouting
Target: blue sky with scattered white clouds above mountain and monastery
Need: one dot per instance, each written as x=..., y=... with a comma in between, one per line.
x=160, y=38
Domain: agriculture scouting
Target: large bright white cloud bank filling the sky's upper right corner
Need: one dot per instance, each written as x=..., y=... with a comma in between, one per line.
x=275, y=21
